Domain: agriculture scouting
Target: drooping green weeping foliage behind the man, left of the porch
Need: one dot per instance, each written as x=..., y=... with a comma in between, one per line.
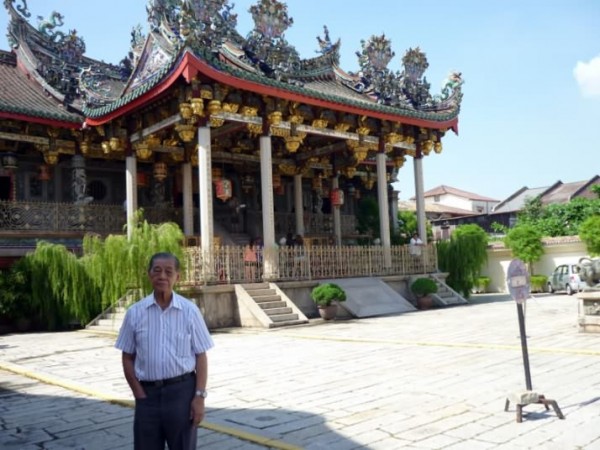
x=63, y=287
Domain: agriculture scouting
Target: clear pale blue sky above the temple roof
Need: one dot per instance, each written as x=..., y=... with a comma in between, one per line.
x=531, y=109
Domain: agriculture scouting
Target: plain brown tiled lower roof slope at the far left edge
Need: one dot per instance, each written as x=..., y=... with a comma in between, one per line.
x=22, y=96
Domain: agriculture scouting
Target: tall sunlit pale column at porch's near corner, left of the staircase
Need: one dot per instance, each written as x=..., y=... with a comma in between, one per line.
x=206, y=202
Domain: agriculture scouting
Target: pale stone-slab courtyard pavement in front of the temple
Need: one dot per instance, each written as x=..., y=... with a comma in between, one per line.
x=421, y=380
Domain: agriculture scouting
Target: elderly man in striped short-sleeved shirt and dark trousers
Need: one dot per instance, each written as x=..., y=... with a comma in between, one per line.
x=164, y=341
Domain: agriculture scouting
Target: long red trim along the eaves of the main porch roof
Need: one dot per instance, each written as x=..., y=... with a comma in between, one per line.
x=190, y=66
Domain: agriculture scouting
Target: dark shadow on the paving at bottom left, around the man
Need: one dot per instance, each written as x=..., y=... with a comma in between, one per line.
x=72, y=422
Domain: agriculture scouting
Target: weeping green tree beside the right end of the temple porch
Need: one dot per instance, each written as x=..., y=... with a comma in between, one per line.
x=463, y=256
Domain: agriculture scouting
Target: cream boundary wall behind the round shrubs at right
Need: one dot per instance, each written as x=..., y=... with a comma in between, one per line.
x=554, y=255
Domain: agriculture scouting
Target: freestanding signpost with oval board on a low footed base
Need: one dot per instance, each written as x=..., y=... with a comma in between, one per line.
x=518, y=283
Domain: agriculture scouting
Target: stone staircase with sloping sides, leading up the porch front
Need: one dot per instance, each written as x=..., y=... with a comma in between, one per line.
x=265, y=305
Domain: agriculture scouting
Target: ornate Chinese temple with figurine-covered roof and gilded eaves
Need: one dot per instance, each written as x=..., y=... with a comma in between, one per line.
x=228, y=135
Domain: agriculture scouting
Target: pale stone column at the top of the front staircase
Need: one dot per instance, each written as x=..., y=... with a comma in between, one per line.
x=266, y=181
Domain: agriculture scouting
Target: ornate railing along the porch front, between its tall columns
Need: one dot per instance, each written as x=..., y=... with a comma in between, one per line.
x=305, y=263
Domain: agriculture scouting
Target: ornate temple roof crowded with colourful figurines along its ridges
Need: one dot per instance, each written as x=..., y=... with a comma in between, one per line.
x=206, y=31
